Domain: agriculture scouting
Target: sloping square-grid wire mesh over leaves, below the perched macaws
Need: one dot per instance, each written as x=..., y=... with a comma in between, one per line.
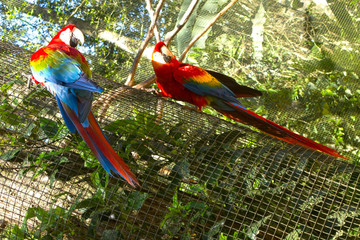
x=201, y=177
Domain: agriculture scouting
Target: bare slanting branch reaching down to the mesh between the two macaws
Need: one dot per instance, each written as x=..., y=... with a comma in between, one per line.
x=130, y=80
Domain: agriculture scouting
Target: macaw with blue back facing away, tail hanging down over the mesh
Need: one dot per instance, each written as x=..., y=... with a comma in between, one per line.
x=64, y=71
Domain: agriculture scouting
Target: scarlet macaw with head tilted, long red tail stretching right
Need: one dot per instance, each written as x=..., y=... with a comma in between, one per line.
x=188, y=83
